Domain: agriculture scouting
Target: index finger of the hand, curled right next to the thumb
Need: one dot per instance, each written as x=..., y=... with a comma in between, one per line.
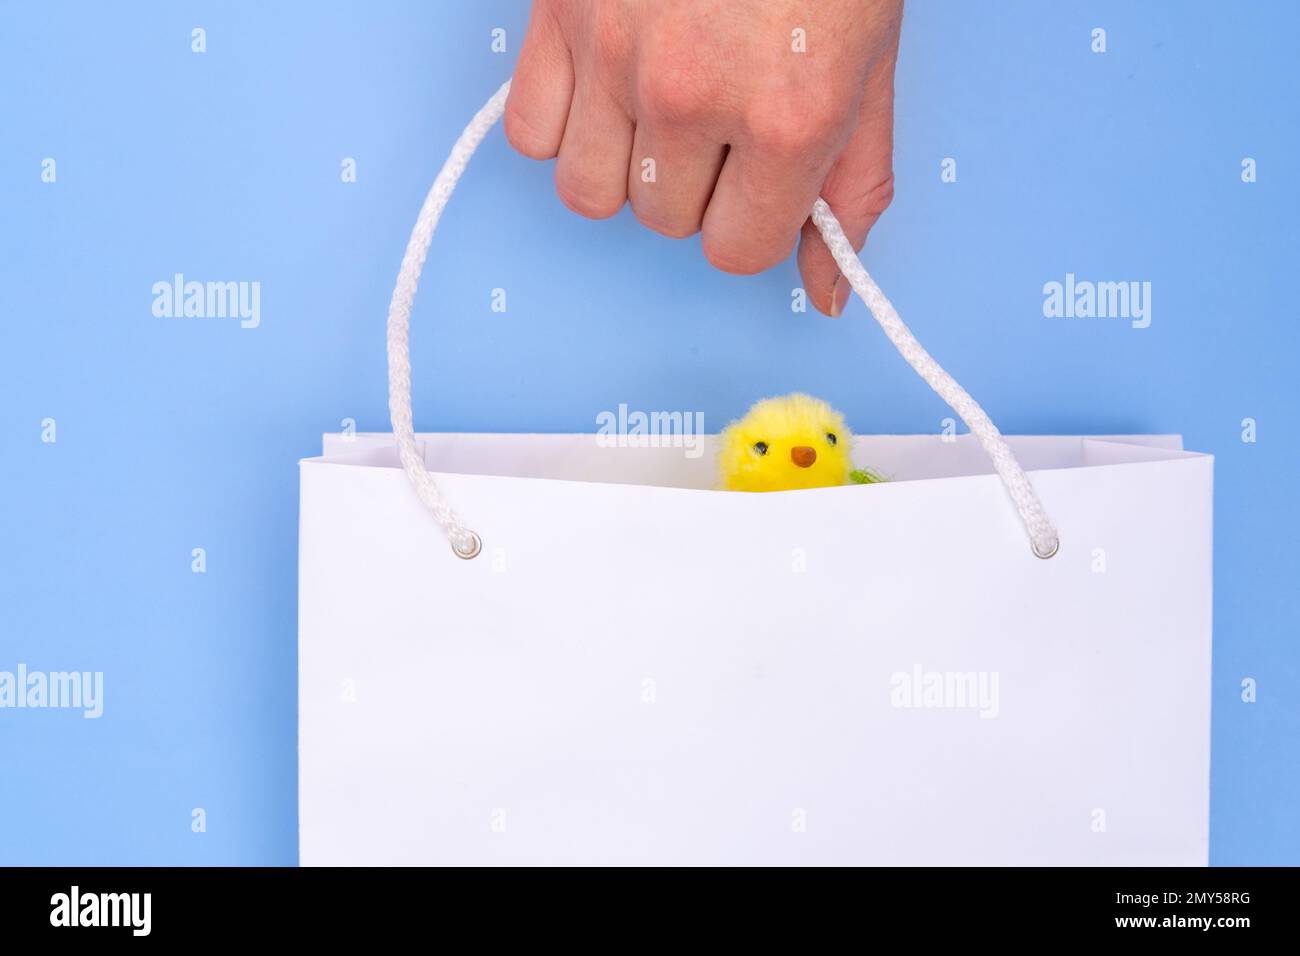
x=765, y=192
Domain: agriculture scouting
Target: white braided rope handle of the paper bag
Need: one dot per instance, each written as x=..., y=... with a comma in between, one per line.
x=1043, y=534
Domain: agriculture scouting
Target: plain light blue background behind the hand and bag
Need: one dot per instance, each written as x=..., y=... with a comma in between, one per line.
x=185, y=434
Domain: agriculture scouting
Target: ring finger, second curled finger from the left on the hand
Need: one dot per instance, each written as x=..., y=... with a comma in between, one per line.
x=592, y=170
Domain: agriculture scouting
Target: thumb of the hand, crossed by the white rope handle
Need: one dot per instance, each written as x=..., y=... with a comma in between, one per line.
x=859, y=189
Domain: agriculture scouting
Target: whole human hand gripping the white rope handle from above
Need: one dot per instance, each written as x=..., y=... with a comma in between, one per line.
x=708, y=116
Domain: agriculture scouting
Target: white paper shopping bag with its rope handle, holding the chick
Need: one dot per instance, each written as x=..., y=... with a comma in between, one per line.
x=1000, y=656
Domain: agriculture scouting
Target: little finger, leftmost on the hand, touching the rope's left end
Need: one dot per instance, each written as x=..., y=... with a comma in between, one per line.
x=541, y=90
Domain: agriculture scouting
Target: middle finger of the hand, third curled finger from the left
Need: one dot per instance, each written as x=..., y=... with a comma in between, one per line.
x=671, y=178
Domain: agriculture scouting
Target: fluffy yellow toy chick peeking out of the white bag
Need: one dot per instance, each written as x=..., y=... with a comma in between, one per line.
x=787, y=443
